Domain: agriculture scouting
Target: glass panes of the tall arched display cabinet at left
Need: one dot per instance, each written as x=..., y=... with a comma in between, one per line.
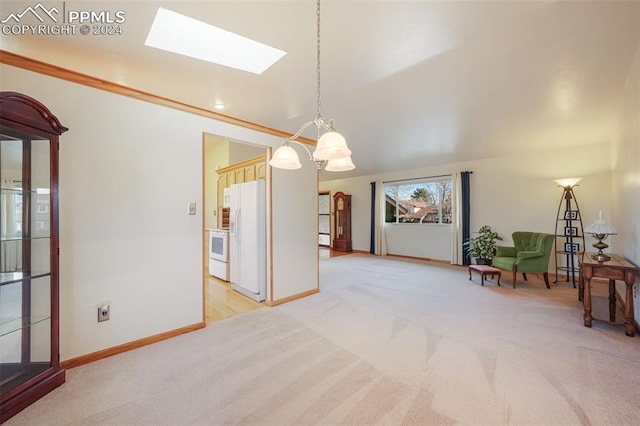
x=25, y=261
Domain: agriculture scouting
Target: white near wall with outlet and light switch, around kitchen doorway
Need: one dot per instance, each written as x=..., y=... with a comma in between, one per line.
x=128, y=169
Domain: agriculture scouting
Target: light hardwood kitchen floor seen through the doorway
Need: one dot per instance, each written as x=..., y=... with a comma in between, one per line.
x=224, y=302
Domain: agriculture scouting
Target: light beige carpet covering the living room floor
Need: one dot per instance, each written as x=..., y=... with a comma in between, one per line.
x=386, y=341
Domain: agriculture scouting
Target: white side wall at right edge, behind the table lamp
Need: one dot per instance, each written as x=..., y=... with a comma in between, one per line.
x=626, y=177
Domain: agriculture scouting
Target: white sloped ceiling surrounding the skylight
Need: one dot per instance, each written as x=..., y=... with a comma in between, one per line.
x=409, y=83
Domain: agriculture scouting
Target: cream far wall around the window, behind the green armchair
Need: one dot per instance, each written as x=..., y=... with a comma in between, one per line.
x=509, y=193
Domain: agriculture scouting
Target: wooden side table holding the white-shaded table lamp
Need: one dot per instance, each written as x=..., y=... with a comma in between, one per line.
x=615, y=269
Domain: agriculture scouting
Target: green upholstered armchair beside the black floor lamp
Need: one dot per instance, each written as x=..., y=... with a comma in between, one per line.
x=530, y=254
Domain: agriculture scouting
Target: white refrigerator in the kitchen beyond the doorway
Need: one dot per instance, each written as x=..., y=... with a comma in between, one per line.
x=247, y=235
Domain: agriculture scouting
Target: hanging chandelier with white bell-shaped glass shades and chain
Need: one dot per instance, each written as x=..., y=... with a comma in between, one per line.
x=331, y=149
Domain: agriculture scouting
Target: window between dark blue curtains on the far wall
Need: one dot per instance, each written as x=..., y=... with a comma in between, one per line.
x=425, y=201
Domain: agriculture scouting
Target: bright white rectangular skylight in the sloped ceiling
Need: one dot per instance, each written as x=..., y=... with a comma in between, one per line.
x=183, y=35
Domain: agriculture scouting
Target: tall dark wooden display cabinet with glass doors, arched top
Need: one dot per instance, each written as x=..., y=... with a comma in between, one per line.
x=29, y=321
